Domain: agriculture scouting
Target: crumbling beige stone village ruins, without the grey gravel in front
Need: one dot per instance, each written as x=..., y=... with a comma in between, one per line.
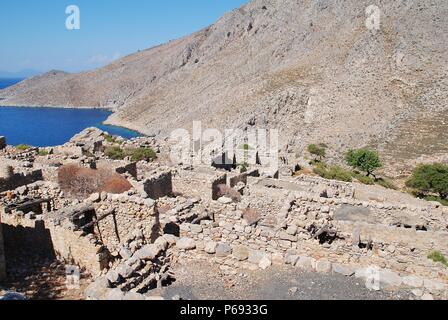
x=238, y=220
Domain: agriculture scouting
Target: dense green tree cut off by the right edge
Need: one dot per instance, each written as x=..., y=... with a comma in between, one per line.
x=430, y=178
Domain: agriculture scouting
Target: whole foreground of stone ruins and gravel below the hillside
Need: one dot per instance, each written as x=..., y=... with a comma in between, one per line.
x=199, y=232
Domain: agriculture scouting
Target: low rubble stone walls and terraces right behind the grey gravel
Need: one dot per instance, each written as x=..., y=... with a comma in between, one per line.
x=289, y=221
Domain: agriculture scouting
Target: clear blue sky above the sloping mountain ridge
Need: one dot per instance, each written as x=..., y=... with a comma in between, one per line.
x=33, y=33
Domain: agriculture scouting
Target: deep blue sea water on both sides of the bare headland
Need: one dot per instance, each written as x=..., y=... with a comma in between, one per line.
x=42, y=127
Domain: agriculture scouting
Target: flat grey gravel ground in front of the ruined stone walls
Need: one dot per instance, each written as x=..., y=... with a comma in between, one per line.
x=198, y=281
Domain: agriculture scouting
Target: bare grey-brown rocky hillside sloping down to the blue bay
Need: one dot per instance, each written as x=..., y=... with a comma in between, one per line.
x=308, y=67
